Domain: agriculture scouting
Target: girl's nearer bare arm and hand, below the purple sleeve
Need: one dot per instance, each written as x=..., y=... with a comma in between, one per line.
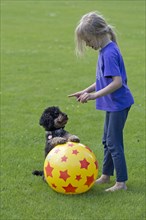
x=113, y=86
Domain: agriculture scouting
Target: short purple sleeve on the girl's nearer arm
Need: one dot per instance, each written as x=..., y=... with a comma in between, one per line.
x=111, y=64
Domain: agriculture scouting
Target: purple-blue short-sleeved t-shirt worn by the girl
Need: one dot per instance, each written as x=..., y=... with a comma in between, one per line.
x=110, y=63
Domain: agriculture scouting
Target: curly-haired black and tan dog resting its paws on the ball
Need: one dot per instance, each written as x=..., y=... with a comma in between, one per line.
x=54, y=121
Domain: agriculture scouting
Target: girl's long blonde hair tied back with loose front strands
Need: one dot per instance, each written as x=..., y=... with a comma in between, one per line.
x=91, y=24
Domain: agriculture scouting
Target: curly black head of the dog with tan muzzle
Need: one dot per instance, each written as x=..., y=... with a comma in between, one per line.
x=52, y=119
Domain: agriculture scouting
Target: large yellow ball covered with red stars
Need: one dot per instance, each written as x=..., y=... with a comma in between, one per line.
x=71, y=168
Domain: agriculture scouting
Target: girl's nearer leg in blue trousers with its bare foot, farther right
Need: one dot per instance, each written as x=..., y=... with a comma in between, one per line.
x=116, y=147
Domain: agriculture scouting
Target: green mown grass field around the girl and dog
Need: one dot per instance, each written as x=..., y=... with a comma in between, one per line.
x=39, y=69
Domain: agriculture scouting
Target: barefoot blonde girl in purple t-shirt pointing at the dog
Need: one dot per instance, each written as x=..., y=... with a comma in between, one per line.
x=110, y=91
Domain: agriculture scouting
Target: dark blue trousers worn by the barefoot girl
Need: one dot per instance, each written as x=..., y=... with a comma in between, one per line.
x=114, y=157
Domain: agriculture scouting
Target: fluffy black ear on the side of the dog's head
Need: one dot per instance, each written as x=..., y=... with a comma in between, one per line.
x=46, y=121
